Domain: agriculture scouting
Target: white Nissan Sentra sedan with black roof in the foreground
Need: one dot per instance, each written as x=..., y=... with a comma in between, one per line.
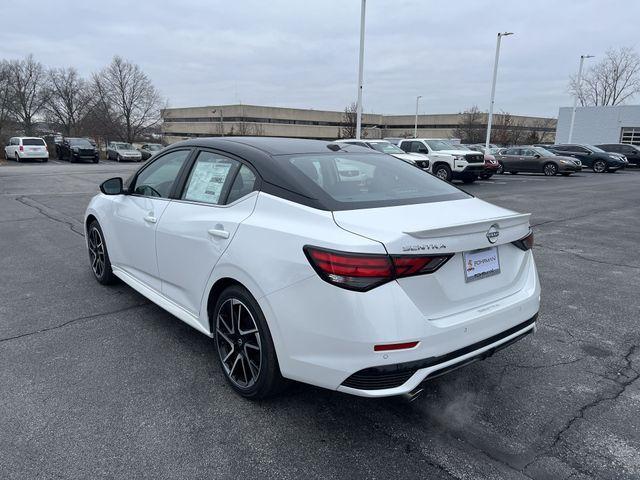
x=325, y=263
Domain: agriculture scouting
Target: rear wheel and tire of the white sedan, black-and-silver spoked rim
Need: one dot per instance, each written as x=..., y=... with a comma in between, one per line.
x=237, y=352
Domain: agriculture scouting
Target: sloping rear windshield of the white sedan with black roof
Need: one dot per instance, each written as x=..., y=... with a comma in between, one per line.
x=370, y=180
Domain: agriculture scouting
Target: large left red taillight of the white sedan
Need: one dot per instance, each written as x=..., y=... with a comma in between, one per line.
x=362, y=272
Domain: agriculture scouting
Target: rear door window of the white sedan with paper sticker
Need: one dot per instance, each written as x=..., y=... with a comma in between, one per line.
x=208, y=178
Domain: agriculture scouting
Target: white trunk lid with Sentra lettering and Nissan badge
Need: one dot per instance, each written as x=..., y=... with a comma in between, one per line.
x=452, y=227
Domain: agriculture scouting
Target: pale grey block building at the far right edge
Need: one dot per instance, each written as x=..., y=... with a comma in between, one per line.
x=597, y=125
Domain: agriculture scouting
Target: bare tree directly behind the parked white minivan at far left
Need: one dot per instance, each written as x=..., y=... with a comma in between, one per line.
x=27, y=78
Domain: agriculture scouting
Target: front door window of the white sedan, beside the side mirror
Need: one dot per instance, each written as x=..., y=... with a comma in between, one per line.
x=157, y=178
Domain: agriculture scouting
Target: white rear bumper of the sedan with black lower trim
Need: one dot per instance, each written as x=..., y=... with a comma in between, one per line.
x=326, y=335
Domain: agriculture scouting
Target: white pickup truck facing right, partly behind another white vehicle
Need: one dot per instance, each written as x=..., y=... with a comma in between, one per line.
x=447, y=162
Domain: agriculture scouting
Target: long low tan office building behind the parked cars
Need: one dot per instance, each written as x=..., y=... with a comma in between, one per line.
x=217, y=120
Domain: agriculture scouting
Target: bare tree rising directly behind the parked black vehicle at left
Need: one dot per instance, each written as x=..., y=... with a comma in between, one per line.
x=67, y=98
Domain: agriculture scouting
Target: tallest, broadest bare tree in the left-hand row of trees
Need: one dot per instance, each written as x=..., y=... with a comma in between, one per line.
x=128, y=97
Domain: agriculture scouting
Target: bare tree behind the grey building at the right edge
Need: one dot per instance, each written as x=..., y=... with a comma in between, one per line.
x=612, y=81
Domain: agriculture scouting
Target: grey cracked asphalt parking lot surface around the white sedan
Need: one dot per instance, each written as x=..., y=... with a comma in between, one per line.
x=96, y=382
